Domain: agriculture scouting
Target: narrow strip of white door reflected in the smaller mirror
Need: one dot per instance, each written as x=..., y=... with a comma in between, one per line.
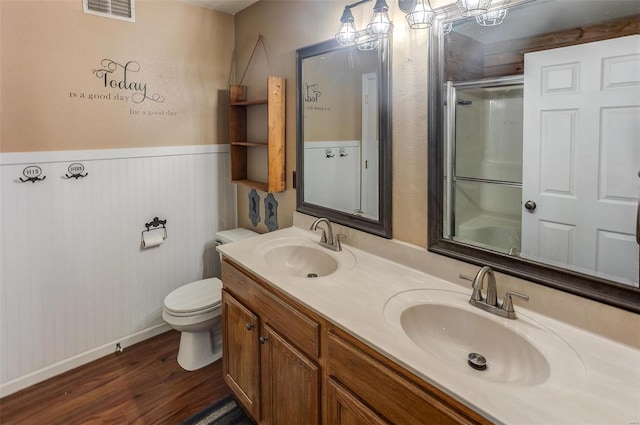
x=369, y=191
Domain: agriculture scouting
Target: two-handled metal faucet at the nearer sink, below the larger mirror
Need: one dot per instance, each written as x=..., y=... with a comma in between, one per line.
x=490, y=303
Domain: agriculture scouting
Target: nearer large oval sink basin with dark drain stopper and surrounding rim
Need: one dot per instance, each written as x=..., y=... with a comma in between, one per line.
x=447, y=329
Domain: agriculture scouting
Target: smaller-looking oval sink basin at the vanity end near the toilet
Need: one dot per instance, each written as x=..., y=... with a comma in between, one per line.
x=304, y=258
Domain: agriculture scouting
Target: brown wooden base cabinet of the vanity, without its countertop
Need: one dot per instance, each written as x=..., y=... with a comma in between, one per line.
x=284, y=362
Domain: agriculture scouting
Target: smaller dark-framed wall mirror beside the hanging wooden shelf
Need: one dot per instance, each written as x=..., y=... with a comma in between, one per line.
x=344, y=134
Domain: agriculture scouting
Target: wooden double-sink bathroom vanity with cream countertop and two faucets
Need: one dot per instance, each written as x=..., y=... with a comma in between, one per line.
x=316, y=335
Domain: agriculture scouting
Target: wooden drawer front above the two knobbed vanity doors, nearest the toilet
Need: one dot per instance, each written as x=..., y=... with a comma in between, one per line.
x=300, y=329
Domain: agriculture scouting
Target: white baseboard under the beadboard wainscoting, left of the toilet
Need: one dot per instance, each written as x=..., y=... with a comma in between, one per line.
x=43, y=374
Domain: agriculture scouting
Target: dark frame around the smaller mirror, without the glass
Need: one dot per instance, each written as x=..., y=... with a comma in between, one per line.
x=382, y=226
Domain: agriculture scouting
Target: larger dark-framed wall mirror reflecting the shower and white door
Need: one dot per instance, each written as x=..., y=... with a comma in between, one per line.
x=534, y=160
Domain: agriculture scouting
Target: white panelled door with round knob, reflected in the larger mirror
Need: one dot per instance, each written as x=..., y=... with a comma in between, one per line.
x=582, y=156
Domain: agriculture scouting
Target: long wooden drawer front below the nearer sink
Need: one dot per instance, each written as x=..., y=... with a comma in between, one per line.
x=388, y=389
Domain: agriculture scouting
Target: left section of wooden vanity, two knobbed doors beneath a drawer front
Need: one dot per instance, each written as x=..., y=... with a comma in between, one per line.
x=270, y=353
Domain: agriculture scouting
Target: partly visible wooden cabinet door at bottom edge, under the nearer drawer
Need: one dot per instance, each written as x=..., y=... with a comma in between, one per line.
x=344, y=408
